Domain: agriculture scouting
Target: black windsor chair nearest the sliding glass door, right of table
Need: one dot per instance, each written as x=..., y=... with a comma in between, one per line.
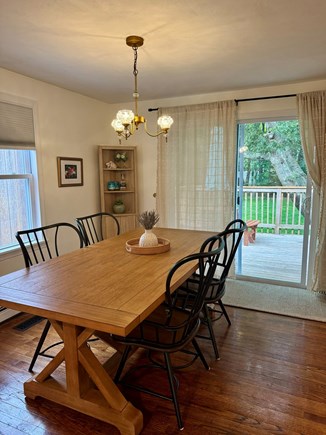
x=213, y=307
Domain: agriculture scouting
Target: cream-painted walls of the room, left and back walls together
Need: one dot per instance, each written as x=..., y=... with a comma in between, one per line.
x=69, y=124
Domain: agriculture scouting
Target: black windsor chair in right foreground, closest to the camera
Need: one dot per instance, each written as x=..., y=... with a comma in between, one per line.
x=170, y=328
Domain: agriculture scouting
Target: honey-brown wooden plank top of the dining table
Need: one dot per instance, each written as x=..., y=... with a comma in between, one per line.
x=102, y=286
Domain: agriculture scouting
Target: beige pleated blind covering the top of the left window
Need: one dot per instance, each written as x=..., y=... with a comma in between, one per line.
x=16, y=126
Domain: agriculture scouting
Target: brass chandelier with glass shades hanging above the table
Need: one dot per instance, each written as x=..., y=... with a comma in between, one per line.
x=126, y=122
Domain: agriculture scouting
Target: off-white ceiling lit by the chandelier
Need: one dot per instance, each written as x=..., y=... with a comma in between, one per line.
x=191, y=46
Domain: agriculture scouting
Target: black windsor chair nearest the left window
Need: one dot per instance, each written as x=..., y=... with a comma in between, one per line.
x=39, y=245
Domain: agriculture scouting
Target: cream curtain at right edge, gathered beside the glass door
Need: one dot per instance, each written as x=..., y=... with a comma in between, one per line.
x=312, y=118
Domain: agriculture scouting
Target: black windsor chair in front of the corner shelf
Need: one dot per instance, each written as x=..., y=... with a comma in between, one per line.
x=91, y=226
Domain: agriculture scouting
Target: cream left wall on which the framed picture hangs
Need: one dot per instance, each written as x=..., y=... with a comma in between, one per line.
x=67, y=124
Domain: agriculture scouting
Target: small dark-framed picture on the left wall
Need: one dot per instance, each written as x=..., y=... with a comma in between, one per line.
x=70, y=171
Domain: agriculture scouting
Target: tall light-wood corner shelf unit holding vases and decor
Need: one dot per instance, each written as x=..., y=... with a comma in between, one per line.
x=126, y=172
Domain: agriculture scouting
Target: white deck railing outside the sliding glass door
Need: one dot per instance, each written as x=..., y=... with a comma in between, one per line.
x=279, y=209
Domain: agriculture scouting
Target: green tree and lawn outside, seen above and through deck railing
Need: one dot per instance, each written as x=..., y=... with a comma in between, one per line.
x=273, y=156
